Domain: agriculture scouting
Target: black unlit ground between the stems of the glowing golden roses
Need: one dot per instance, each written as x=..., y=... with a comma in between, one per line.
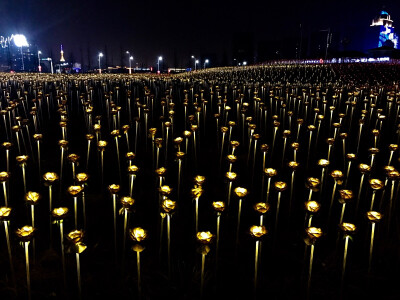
x=283, y=265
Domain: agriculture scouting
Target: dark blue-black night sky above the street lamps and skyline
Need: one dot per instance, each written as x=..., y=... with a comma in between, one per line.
x=175, y=29
